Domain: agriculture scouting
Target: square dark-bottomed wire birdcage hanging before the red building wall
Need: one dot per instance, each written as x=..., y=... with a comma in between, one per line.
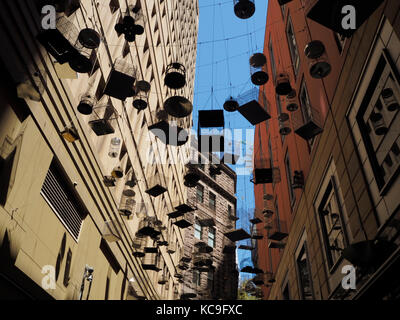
x=307, y=122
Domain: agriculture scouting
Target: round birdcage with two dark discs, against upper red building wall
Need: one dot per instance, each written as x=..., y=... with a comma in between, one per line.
x=319, y=66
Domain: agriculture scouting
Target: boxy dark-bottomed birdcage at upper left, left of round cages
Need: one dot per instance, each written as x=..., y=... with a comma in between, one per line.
x=59, y=42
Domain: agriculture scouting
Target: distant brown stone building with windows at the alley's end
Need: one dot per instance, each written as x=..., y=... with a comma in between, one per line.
x=210, y=271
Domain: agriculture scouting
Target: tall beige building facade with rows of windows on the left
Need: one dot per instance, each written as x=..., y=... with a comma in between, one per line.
x=83, y=177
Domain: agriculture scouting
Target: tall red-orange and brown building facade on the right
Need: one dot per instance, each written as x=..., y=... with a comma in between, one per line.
x=333, y=208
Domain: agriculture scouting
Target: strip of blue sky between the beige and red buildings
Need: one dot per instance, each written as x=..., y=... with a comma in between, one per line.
x=225, y=44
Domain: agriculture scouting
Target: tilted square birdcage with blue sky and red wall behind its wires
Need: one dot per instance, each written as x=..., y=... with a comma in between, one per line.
x=254, y=106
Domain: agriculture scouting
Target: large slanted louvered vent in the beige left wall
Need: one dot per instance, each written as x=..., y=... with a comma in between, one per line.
x=61, y=200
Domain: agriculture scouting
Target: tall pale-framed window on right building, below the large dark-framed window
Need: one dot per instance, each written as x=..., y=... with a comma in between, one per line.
x=331, y=218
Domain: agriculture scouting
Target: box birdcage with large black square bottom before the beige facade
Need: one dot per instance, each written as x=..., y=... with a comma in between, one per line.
x=121, y=80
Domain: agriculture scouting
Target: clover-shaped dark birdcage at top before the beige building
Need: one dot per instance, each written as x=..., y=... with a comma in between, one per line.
x=131, y=24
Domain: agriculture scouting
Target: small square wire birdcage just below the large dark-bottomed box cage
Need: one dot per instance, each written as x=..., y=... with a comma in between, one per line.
x=103, y=119
